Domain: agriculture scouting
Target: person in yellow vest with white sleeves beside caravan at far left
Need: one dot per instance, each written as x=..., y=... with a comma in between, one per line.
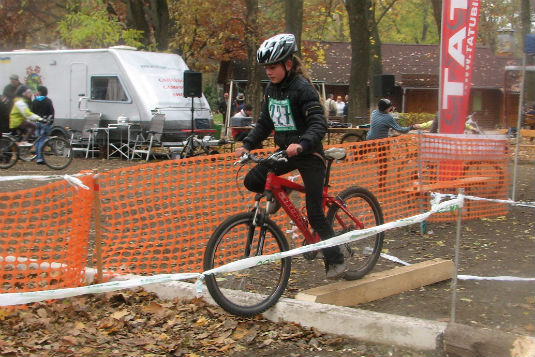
x=21, y=116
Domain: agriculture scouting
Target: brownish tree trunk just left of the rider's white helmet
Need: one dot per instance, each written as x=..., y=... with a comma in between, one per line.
x=254, y=75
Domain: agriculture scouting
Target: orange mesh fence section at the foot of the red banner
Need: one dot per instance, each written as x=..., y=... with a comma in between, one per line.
x=477, y=164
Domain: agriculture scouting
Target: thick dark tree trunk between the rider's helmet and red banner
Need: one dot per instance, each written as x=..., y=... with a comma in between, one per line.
x=357, y=11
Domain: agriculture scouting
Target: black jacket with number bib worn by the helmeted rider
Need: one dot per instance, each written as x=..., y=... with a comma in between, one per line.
x=305, y=124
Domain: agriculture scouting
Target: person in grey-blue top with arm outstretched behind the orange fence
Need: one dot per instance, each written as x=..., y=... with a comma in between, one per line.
x=380, y=122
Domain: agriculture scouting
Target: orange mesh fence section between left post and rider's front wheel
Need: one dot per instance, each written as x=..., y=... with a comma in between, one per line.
x=157, y=217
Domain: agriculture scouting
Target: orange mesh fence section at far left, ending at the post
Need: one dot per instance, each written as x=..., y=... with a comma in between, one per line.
x=43, y=240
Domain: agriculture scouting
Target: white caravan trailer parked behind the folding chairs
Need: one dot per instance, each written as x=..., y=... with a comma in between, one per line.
x=118, y=82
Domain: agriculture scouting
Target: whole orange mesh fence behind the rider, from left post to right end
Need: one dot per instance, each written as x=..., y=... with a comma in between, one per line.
x=157, y=218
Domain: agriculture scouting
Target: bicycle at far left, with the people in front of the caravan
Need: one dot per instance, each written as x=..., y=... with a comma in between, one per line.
x=56, y=151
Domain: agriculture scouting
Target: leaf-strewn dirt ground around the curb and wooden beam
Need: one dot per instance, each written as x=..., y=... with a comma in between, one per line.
x=499, y=246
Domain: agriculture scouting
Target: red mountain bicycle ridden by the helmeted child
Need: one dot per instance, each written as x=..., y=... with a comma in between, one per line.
x=254, y=233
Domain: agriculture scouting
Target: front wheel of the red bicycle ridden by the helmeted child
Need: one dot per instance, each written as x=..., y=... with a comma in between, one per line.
x=249, y=291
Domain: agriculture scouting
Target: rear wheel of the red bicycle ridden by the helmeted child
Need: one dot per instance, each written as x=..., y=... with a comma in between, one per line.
x=361, y=255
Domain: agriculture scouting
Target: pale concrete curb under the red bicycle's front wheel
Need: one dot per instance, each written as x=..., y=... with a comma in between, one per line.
x=367, y=326
